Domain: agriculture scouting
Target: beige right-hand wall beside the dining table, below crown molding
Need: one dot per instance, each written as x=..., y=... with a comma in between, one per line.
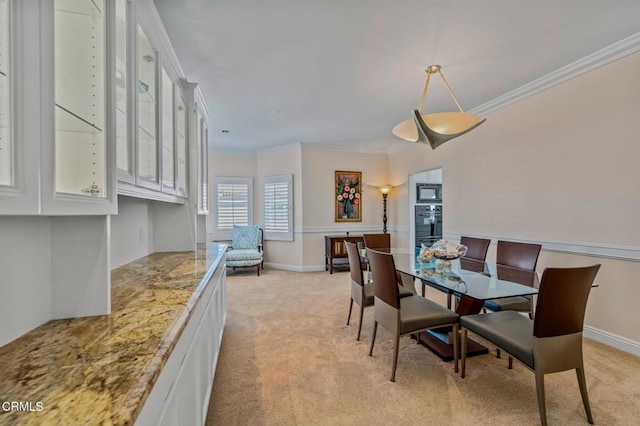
x=560, y=166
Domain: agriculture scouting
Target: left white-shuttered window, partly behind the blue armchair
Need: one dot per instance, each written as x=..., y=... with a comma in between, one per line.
x=234, y=205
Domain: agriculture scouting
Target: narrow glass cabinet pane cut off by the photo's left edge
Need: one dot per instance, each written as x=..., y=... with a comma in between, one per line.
x=6, y=142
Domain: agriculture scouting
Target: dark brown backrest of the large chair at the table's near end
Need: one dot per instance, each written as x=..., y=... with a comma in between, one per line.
x=562, y=300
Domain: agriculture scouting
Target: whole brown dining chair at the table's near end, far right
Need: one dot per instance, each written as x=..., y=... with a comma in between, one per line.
x=552, y=341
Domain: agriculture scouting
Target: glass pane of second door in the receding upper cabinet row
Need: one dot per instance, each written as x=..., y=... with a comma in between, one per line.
x=147, y=130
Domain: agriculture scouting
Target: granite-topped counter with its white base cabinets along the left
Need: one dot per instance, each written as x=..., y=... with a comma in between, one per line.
x=150, y=361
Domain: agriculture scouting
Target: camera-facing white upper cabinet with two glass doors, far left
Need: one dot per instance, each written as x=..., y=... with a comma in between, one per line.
x=55, y=114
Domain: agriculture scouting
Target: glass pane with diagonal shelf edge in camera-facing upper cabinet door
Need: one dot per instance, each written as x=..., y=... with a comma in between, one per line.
x=80, y=138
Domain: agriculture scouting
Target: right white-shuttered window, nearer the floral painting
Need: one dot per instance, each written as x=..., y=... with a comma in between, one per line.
x=278, y=207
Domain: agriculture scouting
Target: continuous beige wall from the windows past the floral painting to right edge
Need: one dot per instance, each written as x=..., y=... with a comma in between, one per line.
x=558, y=167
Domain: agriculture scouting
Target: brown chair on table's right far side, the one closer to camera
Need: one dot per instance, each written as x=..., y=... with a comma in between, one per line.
x=516, y=255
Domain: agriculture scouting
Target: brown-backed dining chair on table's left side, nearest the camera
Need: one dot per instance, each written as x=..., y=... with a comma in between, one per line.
x=407, y=315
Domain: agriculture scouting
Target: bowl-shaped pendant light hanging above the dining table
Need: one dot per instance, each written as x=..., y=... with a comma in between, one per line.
x=436, y=128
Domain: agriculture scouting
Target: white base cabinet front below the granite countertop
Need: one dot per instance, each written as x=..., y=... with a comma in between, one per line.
x=183, y=389
